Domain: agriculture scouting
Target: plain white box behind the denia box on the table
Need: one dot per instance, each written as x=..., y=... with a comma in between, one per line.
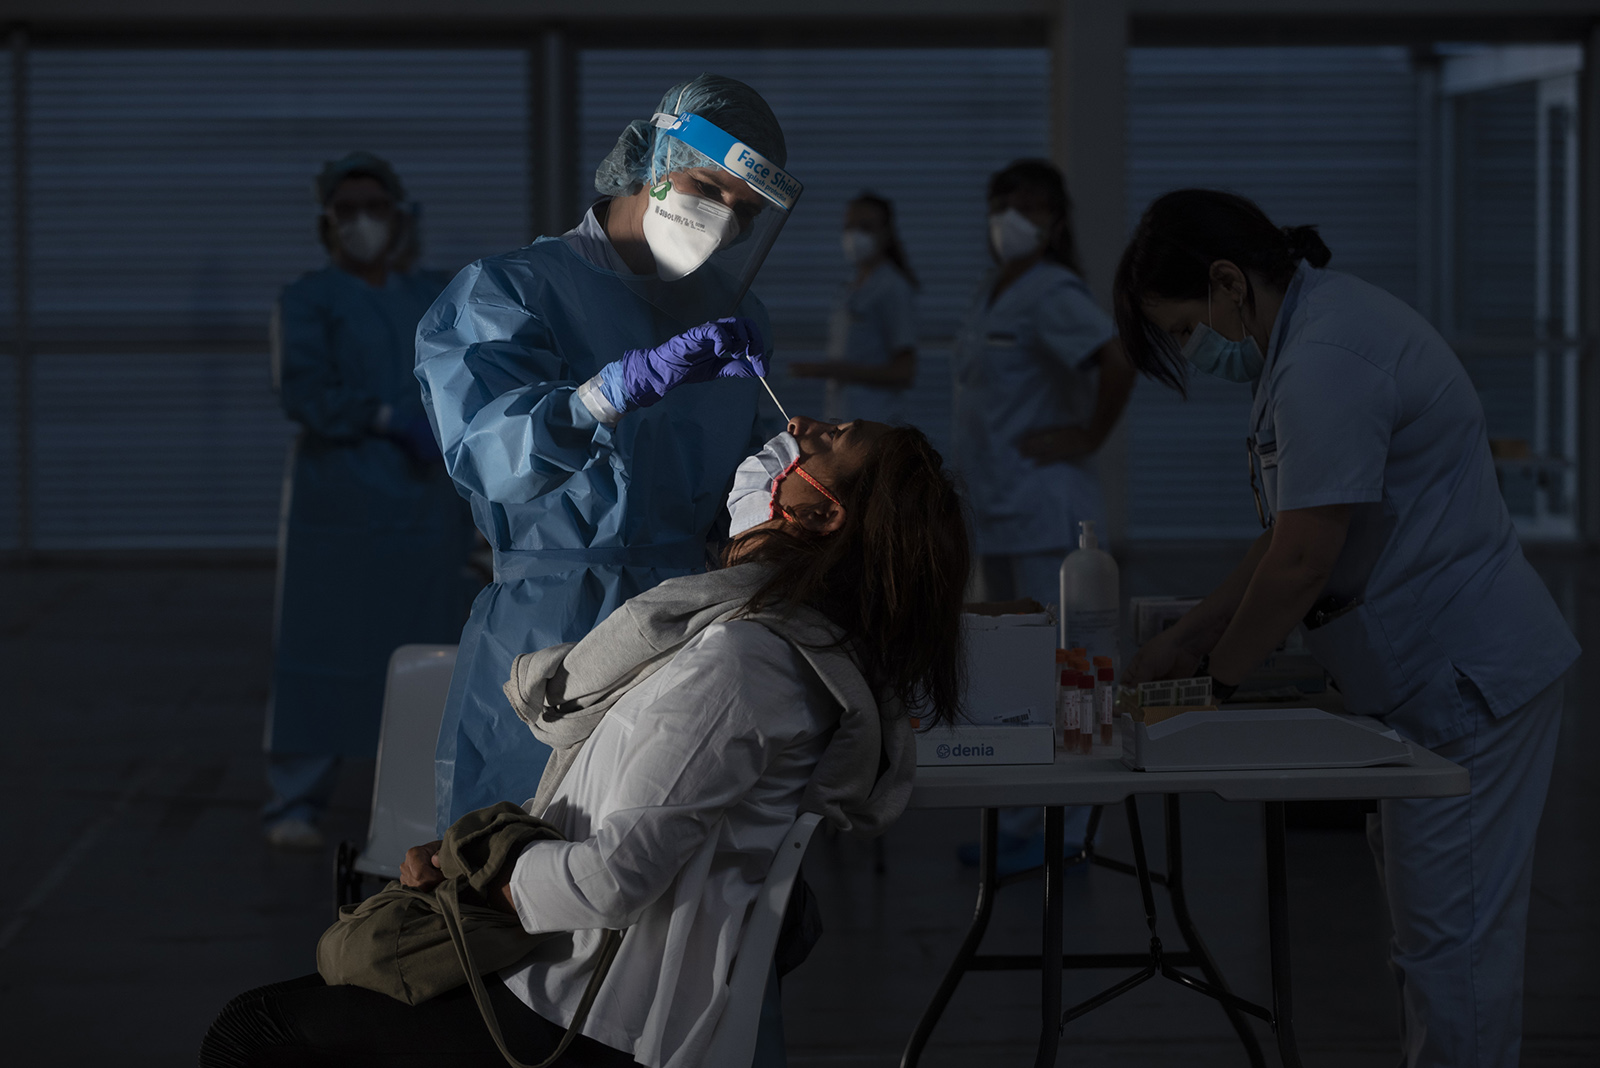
x=1010, y=669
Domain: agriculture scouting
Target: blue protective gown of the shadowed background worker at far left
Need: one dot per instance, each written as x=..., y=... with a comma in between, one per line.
x=372, y=544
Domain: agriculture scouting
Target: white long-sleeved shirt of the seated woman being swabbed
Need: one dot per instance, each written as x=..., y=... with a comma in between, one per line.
x=674, y=811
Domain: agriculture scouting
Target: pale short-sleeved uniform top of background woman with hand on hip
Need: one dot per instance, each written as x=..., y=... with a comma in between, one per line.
x=1025, y=364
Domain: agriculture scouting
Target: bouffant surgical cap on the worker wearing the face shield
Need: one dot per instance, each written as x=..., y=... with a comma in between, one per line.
x=644, y=151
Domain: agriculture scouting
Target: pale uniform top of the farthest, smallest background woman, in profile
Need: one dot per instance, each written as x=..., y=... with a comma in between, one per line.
x=870, y=325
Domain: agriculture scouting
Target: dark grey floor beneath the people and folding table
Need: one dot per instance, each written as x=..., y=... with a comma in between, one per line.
x=140, y=896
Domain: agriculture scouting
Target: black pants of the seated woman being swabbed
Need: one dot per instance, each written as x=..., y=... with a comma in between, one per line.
x=306, y=1024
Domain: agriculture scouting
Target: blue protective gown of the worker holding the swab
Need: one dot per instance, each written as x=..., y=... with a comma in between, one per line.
x=582, y=516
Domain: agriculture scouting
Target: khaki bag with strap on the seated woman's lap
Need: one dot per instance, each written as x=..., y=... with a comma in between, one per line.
x=415, y=944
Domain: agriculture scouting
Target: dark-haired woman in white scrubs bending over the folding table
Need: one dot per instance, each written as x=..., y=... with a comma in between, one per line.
x=1388, y=536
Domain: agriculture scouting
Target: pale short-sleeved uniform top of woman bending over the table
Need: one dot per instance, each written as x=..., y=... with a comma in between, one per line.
x=1364, y=404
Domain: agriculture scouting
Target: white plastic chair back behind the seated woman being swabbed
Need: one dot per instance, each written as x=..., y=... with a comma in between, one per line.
x=734, y=1042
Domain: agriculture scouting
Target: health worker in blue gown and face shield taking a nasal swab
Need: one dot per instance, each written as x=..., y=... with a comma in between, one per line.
x=594, y=394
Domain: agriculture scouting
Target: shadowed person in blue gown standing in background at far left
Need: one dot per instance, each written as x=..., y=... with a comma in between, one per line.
x=374, y=541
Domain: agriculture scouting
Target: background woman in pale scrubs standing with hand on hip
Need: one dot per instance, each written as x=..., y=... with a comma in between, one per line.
x=1041, y=381
